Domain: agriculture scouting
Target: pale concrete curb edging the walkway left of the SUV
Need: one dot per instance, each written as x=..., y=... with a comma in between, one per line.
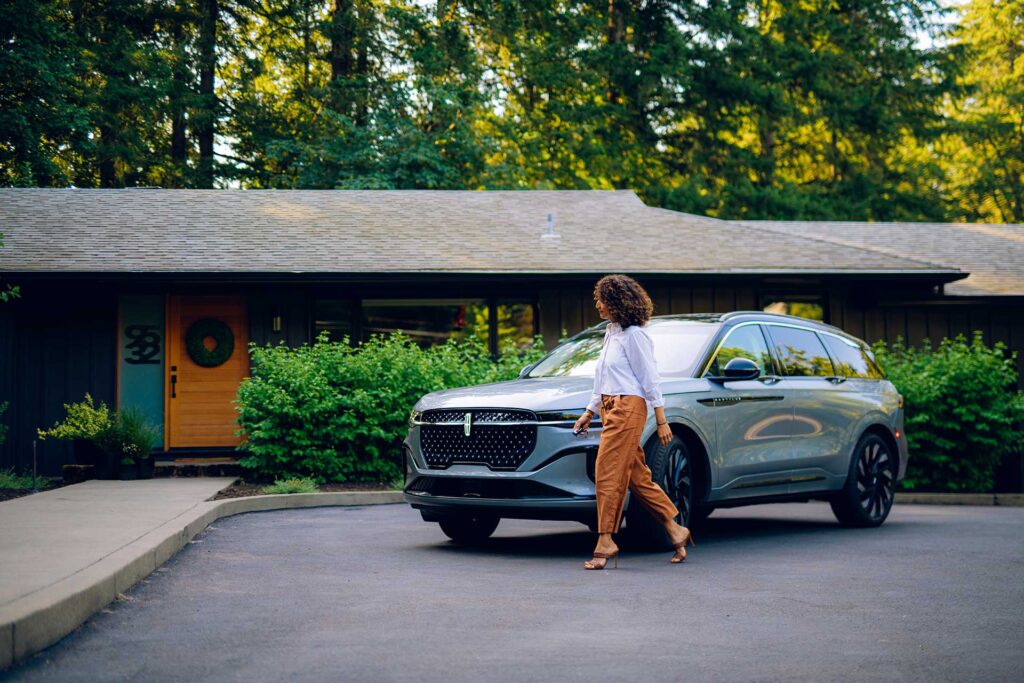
x=37, y=621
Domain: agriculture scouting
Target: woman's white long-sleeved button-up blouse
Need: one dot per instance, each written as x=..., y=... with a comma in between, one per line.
x=627, y=366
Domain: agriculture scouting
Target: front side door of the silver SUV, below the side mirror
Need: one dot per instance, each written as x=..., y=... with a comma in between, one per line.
x=753, y=419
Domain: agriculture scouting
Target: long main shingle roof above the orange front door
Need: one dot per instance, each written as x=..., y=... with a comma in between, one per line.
x=330, y=232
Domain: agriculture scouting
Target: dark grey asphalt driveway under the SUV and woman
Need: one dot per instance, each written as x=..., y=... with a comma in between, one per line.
x=374, y=594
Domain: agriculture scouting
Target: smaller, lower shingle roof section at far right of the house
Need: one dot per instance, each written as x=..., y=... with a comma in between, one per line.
x=994, y=254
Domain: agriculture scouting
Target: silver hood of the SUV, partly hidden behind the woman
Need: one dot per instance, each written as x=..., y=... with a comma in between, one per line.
x=541, y=394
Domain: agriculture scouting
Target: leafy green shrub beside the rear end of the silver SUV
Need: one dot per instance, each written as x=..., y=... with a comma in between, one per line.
x=962, y=411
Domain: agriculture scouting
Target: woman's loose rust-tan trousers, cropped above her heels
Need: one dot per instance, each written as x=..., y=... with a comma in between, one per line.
x=621, y=464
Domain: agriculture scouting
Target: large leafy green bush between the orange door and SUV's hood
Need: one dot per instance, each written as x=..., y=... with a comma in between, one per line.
x=334, y=413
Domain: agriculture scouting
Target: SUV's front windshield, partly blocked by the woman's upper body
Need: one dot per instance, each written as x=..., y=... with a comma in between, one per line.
x=677, y=350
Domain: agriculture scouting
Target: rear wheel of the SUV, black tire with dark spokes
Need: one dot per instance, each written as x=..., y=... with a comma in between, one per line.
x=868, y=496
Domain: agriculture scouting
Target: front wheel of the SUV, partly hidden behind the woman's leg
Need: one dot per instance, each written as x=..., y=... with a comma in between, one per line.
x=672, y=468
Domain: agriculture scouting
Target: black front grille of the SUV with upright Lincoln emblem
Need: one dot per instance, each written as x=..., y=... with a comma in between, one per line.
x=496, y=438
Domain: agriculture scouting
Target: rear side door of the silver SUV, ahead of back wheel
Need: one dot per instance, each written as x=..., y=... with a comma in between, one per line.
x=824, y=411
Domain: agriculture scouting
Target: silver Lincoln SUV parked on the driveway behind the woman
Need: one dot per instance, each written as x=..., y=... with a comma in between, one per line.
x=764, y=408
